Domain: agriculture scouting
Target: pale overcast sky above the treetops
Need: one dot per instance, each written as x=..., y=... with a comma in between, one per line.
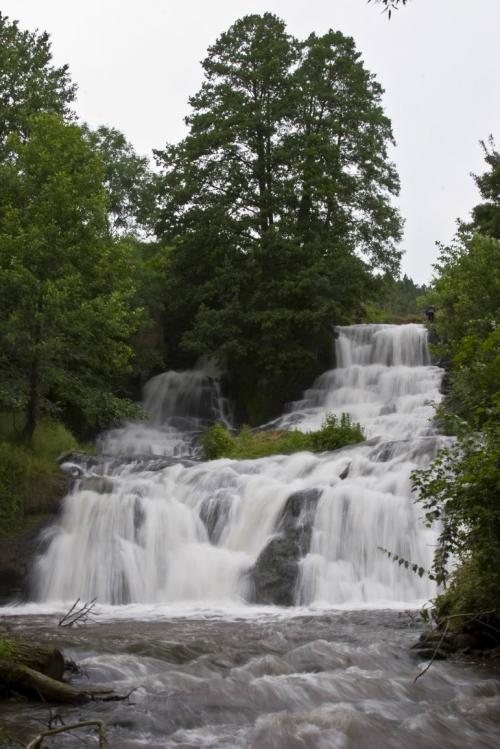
x=136, y=64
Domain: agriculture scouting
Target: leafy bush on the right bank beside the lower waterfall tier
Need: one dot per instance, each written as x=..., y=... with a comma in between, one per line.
x=461, y=491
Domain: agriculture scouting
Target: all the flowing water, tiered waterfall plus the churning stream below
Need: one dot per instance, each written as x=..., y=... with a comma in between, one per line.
x=190, y=563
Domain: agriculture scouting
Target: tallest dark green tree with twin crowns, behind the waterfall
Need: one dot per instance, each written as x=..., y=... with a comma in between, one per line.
x=277, y=205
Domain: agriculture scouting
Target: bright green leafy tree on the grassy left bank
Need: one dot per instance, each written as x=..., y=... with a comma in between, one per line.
x=65, y=286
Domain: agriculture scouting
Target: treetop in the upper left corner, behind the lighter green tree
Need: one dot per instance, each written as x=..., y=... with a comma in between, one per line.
x=29, y=83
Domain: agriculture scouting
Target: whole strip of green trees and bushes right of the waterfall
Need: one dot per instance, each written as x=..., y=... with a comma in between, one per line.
x=461, y=489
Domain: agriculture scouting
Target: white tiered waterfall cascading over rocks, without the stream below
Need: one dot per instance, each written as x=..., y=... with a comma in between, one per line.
x=145, y=530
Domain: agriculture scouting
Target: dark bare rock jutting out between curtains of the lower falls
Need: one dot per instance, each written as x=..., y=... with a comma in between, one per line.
x=274, y=575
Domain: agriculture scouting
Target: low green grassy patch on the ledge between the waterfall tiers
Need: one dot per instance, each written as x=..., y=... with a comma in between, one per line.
x=335, y=432
